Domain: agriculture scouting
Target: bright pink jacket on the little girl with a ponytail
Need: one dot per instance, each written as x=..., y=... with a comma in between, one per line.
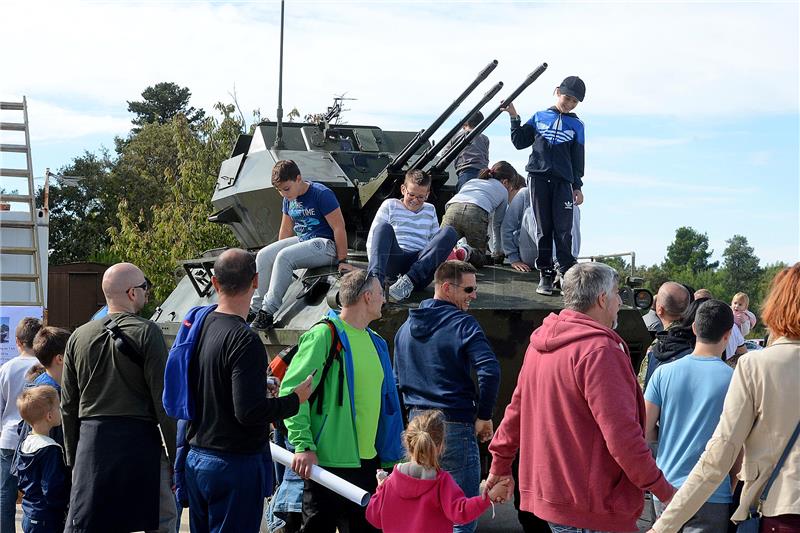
x=404, y=503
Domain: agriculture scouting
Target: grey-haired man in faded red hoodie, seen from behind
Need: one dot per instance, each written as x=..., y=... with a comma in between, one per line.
x=577, y=417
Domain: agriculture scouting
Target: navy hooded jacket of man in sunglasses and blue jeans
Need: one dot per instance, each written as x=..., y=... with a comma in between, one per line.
x=435, y=351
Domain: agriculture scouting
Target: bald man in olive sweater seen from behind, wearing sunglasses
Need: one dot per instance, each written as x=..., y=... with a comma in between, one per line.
x=112, y=411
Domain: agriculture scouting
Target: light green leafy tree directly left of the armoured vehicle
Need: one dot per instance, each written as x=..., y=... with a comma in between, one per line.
x=180, y=228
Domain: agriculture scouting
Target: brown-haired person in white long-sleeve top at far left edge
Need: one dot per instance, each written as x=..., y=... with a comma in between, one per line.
x=12, y=380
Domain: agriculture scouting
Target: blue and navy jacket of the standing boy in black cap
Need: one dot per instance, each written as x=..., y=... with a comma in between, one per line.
x=558, y=145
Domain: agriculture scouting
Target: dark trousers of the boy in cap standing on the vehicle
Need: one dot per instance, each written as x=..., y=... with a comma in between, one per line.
x=552, y=199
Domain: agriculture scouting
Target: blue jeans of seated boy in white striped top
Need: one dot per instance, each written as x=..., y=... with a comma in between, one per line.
x=388, y=259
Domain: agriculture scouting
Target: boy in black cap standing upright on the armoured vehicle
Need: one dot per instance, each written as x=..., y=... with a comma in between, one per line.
x=555, y=169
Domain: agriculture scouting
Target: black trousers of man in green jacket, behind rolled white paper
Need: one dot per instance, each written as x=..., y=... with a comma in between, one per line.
x=324, y=511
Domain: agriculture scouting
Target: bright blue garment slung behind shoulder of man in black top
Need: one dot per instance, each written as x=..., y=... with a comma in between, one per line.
x=177, y=396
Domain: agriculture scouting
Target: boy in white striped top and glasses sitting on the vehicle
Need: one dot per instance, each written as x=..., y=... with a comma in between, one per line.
x=405, y=238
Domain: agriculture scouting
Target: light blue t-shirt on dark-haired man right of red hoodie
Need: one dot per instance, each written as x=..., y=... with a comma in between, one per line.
x=690, y=392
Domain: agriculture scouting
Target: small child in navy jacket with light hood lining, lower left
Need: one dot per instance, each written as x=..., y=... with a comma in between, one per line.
x=41, y=471
